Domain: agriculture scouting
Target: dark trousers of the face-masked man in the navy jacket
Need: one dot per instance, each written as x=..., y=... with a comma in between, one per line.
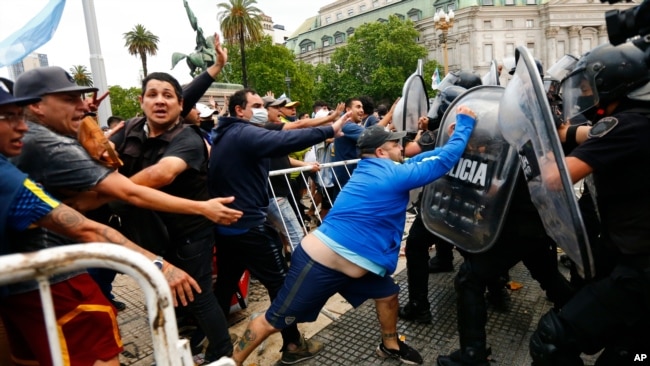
x=260, y=251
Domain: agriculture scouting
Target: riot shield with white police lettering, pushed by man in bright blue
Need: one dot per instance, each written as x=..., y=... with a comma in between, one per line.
x=468, y=205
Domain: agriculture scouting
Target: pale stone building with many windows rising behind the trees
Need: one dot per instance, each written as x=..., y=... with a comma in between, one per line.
x=483, y=30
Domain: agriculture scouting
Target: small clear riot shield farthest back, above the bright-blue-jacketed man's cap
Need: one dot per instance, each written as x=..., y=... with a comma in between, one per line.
x=414, y=103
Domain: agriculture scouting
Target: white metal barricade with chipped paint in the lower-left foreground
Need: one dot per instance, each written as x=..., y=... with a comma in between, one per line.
x=168, y=348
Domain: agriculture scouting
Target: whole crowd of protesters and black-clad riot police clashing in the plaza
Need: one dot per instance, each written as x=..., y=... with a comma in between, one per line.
x=193, y=182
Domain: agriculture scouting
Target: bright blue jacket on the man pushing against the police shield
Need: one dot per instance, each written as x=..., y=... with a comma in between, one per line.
x=369, y=214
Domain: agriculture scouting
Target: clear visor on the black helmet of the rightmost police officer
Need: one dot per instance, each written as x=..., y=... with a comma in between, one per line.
x=579, y=94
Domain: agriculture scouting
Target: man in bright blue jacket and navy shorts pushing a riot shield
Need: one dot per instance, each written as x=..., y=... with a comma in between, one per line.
x=356, y=257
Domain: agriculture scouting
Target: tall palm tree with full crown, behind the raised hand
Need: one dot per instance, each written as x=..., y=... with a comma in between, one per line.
x=241, y=22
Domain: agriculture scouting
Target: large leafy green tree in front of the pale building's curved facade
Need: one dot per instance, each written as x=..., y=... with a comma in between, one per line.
x=376, y=61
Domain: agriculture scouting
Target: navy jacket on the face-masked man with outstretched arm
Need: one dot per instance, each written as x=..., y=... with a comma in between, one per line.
x=240, y=161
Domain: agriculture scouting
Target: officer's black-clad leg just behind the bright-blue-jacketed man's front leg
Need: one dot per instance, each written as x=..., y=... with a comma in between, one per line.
x=417, y=253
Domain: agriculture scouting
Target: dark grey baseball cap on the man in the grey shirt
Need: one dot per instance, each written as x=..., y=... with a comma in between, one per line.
x=47, y=80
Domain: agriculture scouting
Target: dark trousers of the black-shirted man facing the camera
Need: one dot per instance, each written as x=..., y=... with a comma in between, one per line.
x=194, y=256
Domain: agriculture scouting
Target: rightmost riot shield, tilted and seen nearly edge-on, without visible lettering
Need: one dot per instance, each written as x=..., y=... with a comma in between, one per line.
x=527, y=124
